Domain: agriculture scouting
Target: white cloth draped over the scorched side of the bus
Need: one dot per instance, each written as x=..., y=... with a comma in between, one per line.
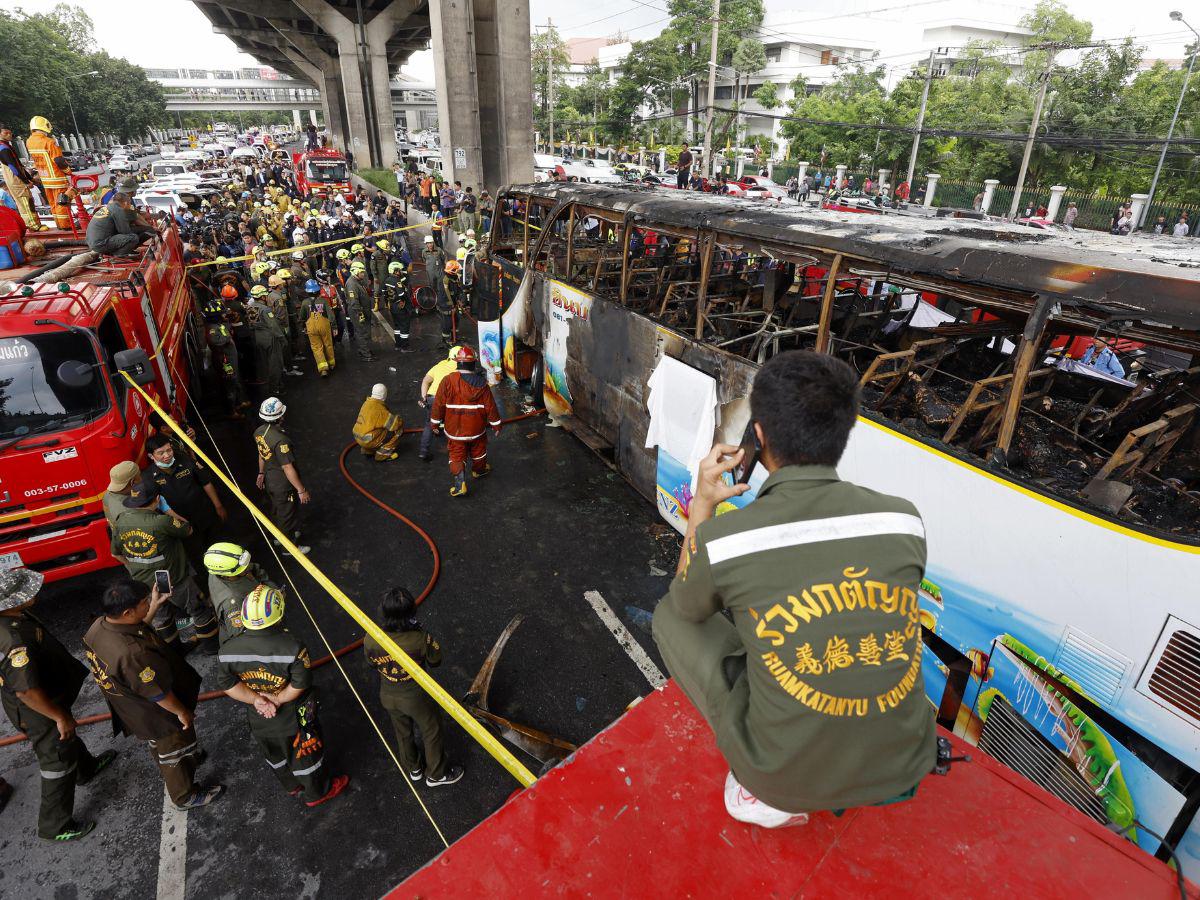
x=683, y=412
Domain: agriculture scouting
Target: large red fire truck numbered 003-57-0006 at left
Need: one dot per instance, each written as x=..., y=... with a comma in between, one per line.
x=68, y=415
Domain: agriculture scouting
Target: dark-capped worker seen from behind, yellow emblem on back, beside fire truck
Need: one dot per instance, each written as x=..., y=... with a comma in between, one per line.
x=147, y=541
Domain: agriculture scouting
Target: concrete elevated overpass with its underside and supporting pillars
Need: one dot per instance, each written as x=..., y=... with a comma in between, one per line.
x=351, y=49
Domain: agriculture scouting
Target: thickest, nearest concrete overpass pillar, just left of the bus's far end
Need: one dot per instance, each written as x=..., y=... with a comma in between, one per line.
x=482, y=70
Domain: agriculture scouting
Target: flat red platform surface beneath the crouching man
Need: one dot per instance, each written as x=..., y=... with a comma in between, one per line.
x=639, y=813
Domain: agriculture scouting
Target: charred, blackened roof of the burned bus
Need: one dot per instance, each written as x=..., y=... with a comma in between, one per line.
x=1149, y=280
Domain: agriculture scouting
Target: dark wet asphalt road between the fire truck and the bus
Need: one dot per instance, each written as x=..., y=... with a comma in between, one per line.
x=550, y=524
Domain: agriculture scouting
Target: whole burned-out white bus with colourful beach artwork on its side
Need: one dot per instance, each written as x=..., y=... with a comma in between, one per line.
x=1061, y=497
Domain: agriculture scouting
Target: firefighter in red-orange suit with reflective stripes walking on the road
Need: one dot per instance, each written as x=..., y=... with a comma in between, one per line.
x=465, y=409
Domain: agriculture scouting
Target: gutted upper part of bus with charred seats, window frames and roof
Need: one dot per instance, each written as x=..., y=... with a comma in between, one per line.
x=957, y=329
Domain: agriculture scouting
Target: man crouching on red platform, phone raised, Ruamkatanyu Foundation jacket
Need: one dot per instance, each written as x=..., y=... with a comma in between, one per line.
x=793, y=623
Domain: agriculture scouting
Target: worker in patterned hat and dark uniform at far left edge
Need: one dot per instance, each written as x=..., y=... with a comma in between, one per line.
x=39, y=683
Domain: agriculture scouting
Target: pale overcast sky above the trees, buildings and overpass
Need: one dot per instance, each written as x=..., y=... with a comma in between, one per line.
x=175, y=33
